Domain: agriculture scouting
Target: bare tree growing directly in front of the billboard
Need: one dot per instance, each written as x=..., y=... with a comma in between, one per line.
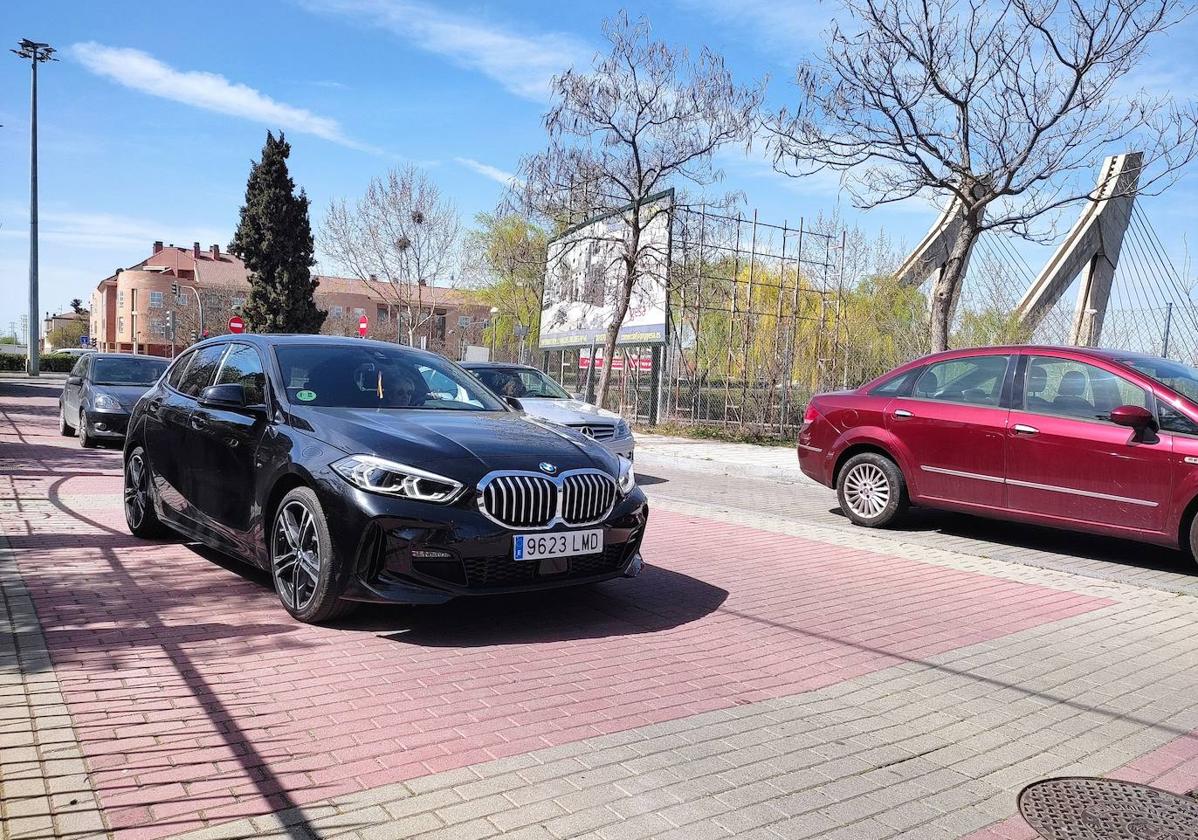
x=644, y=118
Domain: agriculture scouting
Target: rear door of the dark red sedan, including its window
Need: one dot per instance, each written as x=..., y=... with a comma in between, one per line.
x=953, y=427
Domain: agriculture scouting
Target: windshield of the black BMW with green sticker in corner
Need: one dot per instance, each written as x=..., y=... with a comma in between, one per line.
x=373, y=378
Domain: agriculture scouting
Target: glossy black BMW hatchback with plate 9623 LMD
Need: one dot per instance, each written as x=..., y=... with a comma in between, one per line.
x=364, y=472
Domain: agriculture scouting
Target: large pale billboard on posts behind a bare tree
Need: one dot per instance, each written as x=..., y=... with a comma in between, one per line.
x=584, y=273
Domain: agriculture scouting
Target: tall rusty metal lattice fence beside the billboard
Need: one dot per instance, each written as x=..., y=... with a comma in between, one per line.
x=755, y=327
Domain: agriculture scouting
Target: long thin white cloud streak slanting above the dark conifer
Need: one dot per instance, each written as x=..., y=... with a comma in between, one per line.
x=210, y=92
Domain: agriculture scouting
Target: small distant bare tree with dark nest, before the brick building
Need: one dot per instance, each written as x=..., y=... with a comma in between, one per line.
x=401, y=239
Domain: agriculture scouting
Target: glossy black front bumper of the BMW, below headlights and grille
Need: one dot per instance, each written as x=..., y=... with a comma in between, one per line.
x=400, y=558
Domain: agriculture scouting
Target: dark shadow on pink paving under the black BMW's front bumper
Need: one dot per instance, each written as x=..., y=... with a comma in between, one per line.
x=658, y=600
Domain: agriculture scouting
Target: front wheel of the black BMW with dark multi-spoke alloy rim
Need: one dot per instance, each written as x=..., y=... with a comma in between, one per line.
x=306, y=566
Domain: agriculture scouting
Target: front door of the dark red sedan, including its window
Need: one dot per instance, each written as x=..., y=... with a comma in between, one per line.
x=1067, y=461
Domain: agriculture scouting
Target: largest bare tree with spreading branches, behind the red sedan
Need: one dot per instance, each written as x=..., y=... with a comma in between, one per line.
x=997, y=107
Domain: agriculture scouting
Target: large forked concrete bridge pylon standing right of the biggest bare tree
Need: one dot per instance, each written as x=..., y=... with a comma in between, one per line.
x=1093, y=246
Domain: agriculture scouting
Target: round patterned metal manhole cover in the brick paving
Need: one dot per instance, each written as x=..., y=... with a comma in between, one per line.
x=1106, y=809
